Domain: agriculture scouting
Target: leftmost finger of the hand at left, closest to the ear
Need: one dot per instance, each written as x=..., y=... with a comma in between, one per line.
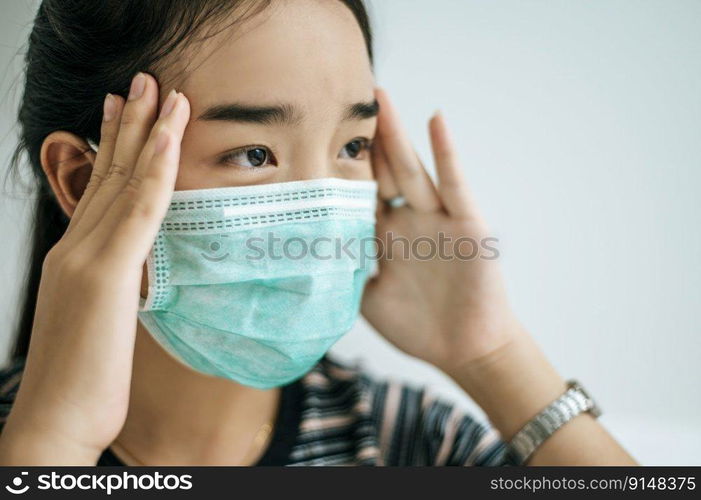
x=111, y=117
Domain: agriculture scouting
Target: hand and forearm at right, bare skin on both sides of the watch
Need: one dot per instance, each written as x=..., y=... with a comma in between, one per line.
x=453, y=312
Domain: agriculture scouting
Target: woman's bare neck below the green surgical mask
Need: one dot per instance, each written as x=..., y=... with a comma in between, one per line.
x=181, y=417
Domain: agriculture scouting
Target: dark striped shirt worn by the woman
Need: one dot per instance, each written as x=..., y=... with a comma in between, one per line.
x=338, y=415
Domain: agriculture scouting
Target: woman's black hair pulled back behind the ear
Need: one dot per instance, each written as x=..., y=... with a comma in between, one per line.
x=78, y=51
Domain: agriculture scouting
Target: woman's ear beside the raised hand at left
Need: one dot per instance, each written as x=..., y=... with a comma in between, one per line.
x=67, y=161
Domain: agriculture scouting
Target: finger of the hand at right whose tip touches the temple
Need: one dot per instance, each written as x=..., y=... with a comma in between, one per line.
x=411, y=177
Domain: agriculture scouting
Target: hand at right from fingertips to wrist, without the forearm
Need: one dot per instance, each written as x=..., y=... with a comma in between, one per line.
x=445, y=304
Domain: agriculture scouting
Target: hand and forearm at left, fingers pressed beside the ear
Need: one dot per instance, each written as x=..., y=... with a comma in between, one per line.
x=74, y=394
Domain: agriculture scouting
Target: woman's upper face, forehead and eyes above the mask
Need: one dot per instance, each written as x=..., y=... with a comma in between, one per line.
x=289, y=96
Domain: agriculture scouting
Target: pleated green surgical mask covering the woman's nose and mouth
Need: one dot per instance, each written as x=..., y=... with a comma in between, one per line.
x=256, y=283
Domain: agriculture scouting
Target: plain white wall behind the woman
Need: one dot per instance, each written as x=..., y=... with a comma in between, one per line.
x=579, y=125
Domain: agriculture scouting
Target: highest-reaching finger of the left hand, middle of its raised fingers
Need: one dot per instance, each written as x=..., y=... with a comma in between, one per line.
x=136, y=122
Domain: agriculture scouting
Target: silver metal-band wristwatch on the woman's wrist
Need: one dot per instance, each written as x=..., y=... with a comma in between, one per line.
x=574, y=401
